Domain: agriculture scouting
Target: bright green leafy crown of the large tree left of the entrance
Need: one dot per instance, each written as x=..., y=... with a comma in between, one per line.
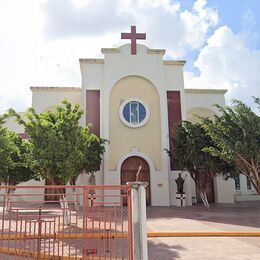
x=61, y=148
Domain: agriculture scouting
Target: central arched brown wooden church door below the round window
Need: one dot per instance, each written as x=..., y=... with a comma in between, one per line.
x=129, y=170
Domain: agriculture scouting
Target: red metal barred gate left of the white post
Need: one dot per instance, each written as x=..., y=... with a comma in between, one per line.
x=88, y=222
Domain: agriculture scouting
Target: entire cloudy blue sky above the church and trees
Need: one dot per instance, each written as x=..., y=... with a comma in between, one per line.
x=41, y=41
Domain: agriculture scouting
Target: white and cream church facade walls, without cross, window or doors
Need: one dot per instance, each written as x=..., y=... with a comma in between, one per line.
x=118, y=77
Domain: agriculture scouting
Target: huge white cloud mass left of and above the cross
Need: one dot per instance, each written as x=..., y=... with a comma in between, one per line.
x=41, y=41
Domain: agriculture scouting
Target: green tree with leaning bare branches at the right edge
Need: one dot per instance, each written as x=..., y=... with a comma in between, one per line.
x=236, y=131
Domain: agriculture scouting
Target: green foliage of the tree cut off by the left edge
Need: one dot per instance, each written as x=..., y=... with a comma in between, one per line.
x=14, y=153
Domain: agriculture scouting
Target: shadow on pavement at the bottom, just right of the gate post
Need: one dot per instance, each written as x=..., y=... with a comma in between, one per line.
x=158, y=250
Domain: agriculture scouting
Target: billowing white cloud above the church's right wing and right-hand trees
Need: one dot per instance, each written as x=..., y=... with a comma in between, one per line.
x=226, y=62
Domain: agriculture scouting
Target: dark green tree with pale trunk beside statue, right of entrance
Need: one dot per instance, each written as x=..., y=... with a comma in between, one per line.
x=189, y=141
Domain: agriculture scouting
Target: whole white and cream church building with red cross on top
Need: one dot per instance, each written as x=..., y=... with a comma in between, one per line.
x=132, y=97
